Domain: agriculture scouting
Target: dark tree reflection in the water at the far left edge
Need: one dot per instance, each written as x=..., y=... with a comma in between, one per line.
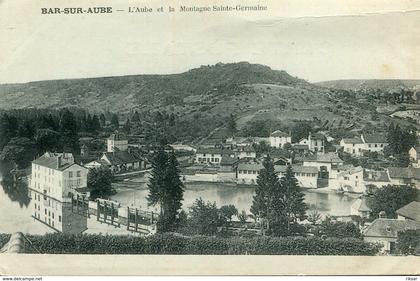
x=17, y=191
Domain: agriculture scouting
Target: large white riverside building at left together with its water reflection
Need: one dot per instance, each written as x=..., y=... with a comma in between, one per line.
x=54, y=181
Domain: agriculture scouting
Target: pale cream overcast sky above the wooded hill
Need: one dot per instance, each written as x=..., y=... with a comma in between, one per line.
x=316, y=48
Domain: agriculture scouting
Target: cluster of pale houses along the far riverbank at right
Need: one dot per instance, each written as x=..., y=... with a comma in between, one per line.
x=238, y=163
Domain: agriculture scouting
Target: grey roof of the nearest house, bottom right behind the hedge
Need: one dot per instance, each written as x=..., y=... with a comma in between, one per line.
x=389, y=227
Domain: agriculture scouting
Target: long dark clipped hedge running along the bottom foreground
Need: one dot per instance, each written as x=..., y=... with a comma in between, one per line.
x=169, y=243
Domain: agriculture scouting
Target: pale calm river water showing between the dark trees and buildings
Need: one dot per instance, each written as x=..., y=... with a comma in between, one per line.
x=16, y=207
